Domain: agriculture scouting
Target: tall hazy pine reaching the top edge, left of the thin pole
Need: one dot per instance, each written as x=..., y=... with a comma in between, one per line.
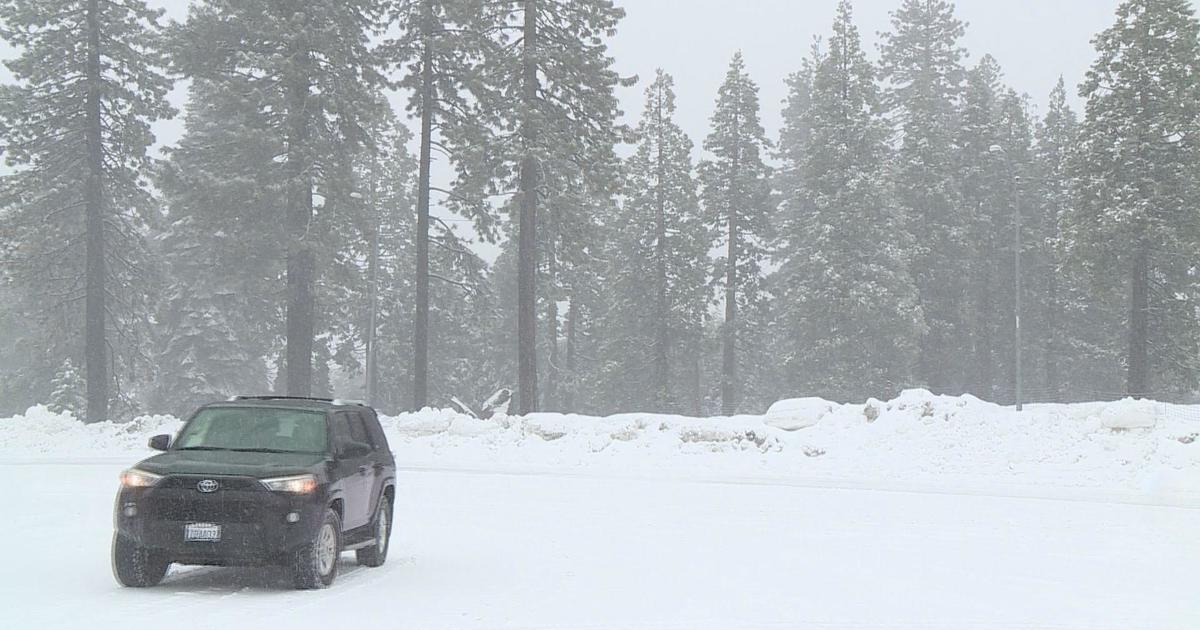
x=922, y=65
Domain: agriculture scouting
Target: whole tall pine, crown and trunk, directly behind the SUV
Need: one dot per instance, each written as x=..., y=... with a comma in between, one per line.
x=311, y=74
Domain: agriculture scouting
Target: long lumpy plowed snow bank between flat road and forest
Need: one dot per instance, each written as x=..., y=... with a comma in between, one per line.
x=1132, y=446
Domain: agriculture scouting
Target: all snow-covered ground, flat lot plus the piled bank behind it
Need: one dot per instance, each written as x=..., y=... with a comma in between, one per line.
x=917, y=513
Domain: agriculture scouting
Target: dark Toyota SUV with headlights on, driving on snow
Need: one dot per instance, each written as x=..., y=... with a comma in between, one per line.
x=260, y=481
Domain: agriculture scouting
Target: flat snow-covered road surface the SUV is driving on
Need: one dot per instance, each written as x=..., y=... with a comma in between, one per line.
x=544, y=551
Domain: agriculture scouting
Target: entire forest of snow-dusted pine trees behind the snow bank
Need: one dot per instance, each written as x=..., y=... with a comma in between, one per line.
x=299, y=239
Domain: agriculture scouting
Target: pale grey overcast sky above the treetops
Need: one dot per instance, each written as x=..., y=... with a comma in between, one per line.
x=1036, y=41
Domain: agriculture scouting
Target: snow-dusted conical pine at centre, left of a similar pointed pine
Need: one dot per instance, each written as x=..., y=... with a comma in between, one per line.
x=657, y=283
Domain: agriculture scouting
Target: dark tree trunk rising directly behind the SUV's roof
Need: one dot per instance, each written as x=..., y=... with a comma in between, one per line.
x=301, y=265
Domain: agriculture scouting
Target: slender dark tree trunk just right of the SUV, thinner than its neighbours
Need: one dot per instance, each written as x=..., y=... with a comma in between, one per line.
x=422, y=315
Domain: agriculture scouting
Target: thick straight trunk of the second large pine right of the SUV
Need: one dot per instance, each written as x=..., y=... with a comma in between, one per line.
x=527, y=225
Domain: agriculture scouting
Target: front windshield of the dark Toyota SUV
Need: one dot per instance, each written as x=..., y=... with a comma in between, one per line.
x=253, y=429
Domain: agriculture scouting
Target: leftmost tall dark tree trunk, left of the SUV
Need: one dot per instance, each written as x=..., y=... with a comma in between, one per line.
x=95, y=310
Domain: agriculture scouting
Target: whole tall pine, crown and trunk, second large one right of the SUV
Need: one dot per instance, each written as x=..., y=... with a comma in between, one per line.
x=550, y=81
